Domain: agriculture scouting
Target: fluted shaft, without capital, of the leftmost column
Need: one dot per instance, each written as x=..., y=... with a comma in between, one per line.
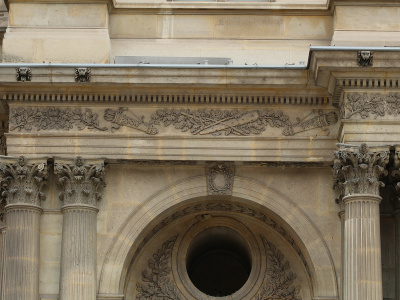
x=22, y=250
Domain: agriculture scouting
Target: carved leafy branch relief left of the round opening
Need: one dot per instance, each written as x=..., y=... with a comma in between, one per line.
x=156, y=283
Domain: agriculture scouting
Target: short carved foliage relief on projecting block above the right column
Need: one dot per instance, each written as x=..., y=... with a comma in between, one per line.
x=371, y=105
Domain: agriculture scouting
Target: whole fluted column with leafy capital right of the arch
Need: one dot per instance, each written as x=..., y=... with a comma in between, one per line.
x=357, y=173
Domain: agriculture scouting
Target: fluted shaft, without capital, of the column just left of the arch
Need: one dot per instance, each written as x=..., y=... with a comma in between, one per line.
x=79, y=251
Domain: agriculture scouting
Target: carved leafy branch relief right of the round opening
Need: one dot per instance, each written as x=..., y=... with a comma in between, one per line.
x=279, y=283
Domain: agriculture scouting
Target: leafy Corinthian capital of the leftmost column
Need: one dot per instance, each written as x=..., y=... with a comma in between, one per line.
x=22, y=180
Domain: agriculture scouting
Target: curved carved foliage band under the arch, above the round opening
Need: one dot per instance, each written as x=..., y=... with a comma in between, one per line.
x=224, y=207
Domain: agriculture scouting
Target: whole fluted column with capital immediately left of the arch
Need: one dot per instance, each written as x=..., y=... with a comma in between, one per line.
x=80, y=181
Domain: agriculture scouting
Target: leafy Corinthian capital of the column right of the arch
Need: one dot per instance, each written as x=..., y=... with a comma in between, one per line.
x=357, y=171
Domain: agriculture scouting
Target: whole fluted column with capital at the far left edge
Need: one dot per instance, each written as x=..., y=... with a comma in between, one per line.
x=23, y=181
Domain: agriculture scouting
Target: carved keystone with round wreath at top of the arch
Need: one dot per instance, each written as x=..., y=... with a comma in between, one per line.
x=220, y=178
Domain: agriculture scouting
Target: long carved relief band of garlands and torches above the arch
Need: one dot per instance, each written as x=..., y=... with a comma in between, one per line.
x=197, y=122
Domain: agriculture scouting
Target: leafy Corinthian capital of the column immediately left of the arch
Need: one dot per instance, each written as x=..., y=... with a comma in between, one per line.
x=80, y=181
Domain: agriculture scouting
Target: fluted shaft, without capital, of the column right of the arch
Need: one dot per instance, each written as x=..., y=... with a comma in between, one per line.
x=362, y=248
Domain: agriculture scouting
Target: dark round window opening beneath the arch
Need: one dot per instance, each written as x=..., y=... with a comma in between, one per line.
x=218, y=261
